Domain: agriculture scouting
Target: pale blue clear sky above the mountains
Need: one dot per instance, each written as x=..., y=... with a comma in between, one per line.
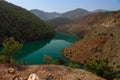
x=67, y=5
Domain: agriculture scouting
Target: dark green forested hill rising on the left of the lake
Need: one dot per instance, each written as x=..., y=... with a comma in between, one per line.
x=21, y=24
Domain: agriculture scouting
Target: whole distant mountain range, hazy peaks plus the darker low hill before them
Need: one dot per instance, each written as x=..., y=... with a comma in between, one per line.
x=55, y=19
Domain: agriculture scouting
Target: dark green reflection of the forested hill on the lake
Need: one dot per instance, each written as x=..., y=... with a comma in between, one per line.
x=30, y=47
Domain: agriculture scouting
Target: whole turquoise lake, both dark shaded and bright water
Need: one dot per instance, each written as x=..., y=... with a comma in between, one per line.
x=34, y=51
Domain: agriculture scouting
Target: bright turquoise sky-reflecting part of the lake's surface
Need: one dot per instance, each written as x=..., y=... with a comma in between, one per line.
x=52, y=49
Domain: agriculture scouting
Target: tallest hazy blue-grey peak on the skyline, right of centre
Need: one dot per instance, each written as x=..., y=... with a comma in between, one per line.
x=75, y=14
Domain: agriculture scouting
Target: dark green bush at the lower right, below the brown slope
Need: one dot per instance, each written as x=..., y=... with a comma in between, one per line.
x=101, y=68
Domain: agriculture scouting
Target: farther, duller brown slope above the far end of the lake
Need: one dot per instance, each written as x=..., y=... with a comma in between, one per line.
x=82, y=25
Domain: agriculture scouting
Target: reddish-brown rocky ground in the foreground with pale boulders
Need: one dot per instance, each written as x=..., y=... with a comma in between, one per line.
x=48, y=72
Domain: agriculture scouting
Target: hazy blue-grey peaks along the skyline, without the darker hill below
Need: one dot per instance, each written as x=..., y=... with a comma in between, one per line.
x=72, y=15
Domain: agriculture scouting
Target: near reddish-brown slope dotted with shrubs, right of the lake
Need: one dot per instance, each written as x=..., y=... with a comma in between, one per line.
x=101, y=41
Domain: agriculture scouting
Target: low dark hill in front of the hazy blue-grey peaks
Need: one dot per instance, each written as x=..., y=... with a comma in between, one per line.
x=58, y=22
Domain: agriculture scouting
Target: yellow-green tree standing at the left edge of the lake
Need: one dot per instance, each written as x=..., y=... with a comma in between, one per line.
x=10, y=47
